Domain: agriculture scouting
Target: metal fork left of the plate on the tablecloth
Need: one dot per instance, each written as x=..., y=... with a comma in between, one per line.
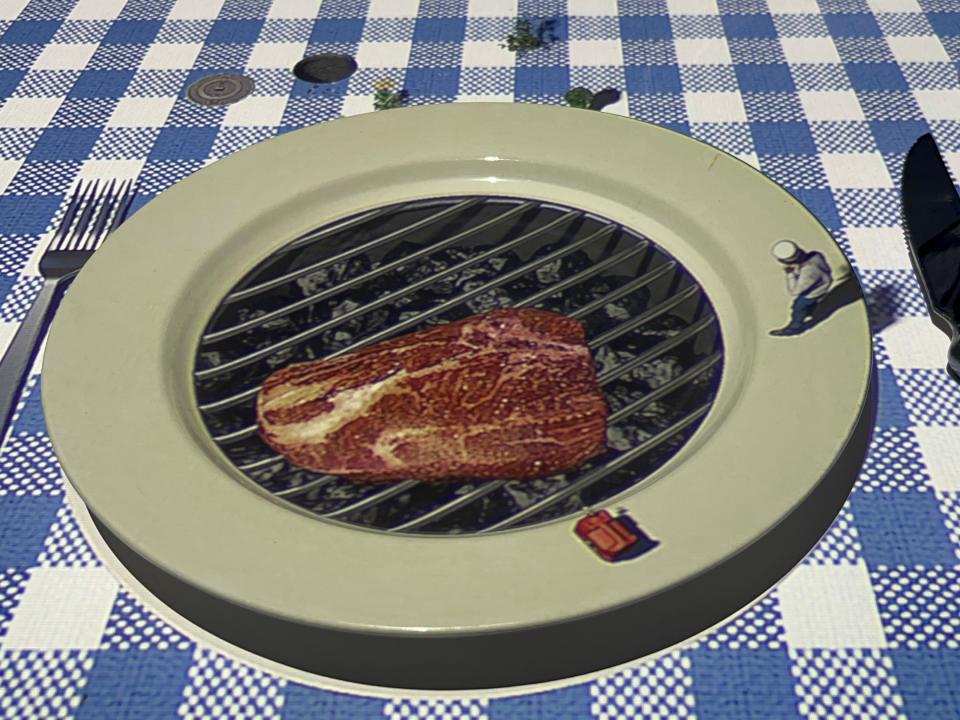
x=93, y=213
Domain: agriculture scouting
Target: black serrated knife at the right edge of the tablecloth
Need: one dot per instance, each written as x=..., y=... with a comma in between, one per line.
x=931, y=219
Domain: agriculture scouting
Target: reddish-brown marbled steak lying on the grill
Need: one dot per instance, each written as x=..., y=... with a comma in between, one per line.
x=509, y=394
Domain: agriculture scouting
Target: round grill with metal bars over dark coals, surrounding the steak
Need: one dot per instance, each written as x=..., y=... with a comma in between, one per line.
x=394, y=270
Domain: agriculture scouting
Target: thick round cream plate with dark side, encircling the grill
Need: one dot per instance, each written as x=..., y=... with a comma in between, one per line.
x=732, y=512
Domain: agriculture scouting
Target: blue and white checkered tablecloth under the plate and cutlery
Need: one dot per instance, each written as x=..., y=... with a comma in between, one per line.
x=824, y=96
